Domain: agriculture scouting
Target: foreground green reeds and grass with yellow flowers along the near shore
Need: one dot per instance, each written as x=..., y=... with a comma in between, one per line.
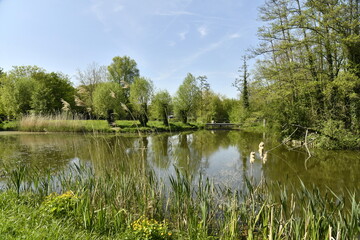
x=137, y=205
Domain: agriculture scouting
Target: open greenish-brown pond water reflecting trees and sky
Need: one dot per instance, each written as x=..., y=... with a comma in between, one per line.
x=221, y=155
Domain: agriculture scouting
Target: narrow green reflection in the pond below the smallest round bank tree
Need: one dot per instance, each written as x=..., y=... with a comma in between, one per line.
x=160, y=147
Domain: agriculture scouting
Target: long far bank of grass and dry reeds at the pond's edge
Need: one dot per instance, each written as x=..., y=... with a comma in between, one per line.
x=61, y=123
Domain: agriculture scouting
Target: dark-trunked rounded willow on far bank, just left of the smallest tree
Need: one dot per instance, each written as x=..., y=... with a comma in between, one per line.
x=140, y=95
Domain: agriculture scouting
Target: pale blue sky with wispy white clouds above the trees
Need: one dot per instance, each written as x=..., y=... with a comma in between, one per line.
x=167, y=38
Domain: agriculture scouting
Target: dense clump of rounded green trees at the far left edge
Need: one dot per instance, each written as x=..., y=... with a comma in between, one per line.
x=29, y=88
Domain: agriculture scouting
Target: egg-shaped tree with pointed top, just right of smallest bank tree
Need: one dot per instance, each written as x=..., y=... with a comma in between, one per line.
x=187, y=98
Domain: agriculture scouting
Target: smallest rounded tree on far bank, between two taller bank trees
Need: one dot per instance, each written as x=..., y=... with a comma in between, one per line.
x=162, y=106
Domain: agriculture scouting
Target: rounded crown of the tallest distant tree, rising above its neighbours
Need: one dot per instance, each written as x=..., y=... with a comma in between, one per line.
x=123, y=70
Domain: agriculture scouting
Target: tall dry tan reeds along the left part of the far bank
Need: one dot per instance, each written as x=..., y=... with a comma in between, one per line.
x=61, y=123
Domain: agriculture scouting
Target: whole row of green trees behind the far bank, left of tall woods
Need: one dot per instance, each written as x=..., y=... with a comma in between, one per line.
x=116, y=91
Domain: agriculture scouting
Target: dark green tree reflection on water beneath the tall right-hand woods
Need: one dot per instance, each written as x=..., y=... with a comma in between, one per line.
x=338, y=170
